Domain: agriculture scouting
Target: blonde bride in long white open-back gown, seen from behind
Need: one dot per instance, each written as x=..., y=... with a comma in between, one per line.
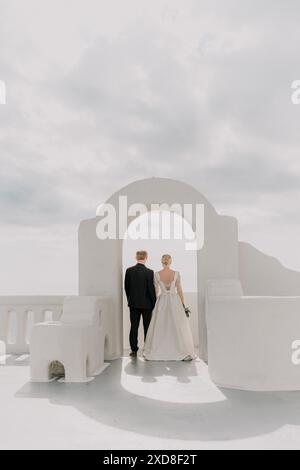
x=169, y=337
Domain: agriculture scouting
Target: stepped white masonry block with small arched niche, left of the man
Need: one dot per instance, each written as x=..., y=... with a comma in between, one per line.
x=77, y=342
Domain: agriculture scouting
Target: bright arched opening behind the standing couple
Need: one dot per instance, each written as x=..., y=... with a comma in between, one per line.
x=162, y=232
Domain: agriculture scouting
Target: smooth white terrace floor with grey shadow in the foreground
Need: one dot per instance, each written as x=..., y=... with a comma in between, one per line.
x=142, y=406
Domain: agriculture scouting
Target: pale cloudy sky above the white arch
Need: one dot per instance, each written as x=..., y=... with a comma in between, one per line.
x=100, y=94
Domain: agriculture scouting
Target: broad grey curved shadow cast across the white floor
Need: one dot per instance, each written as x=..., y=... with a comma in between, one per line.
x=237, y=415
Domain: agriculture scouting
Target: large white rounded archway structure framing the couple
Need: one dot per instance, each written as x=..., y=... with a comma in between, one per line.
x=100, y=261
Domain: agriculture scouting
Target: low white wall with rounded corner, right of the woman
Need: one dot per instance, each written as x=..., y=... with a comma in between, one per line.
x=250, y=342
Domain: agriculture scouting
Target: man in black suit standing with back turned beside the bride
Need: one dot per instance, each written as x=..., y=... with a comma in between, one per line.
x=141, y=296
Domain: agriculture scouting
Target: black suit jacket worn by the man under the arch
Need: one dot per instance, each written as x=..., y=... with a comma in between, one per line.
x=139, y=287
